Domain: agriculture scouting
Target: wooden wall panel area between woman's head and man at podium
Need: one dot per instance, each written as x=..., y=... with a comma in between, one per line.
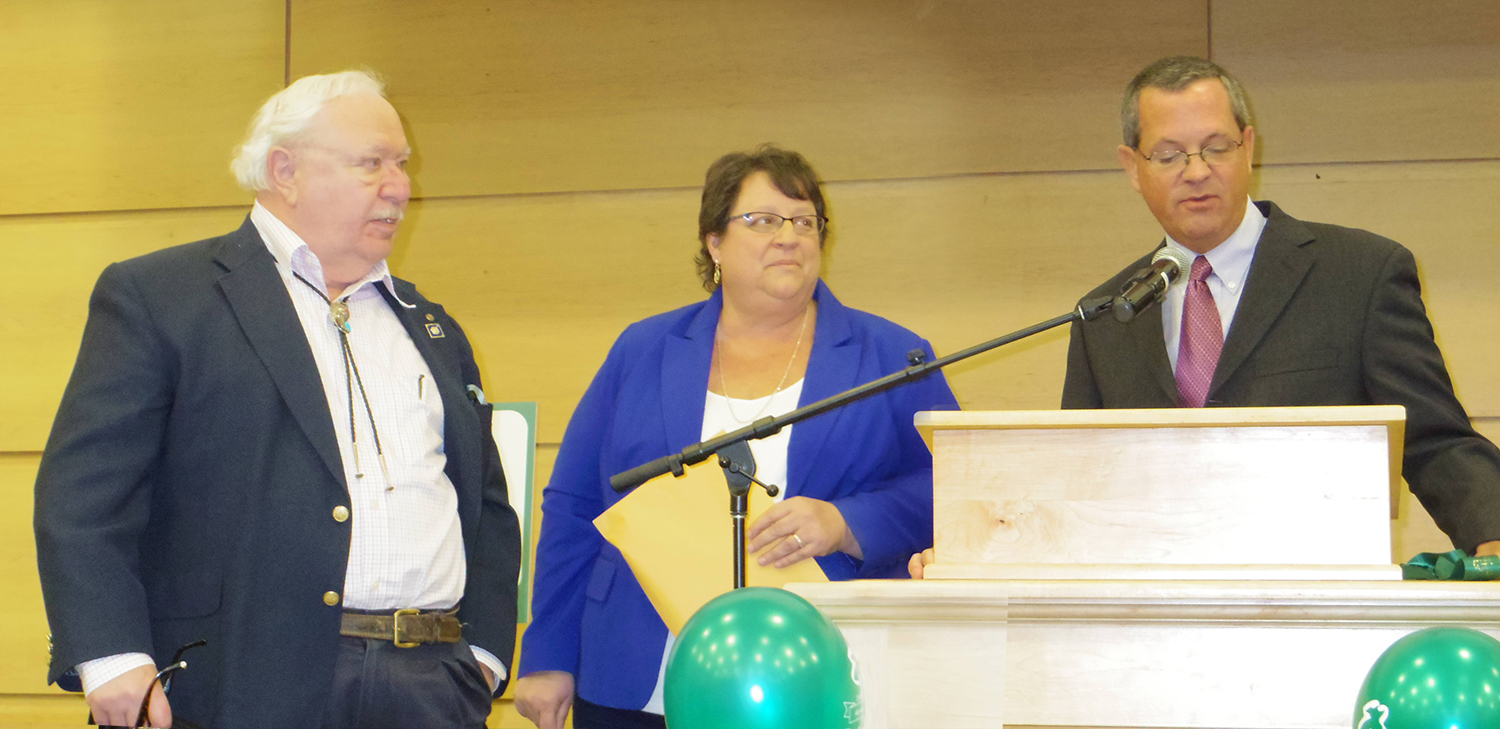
x=967, y=260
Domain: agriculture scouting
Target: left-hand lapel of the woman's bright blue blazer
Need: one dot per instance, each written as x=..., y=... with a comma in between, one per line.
x=686, y=361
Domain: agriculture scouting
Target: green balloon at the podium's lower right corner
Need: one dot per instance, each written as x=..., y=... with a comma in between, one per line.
x=1435, y=679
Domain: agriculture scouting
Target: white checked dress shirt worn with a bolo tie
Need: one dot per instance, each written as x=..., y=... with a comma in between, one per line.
x=407, y=544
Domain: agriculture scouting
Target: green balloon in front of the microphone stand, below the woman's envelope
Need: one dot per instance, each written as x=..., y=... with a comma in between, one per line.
x=761, y=659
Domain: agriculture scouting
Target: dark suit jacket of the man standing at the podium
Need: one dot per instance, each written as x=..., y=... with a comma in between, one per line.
x=1330, y=317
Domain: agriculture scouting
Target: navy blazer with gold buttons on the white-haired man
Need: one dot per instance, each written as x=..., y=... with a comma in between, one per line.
x=190, y=481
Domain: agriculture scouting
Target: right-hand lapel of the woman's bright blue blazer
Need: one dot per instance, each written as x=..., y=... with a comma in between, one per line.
x=832, y=368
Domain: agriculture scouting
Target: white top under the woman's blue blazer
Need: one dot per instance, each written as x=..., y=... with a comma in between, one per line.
x=770, y=467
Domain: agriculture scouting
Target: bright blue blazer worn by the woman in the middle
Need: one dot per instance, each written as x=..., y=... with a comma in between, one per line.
x=592, y=619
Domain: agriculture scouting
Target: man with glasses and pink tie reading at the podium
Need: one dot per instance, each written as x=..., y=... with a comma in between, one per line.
x=1276, y=311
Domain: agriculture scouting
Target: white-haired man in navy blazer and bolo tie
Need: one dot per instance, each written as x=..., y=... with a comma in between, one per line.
x=272, y=445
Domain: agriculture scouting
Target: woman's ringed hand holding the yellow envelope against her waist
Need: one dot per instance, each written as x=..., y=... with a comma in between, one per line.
x=800, y=529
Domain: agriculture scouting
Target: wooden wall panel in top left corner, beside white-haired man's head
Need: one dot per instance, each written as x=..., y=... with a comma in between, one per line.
x=131, y=106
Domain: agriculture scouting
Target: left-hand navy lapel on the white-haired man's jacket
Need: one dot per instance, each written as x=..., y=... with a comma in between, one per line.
x=260, y=302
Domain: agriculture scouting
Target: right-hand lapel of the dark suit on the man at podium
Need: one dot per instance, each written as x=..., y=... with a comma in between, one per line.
x=1282, y=263
